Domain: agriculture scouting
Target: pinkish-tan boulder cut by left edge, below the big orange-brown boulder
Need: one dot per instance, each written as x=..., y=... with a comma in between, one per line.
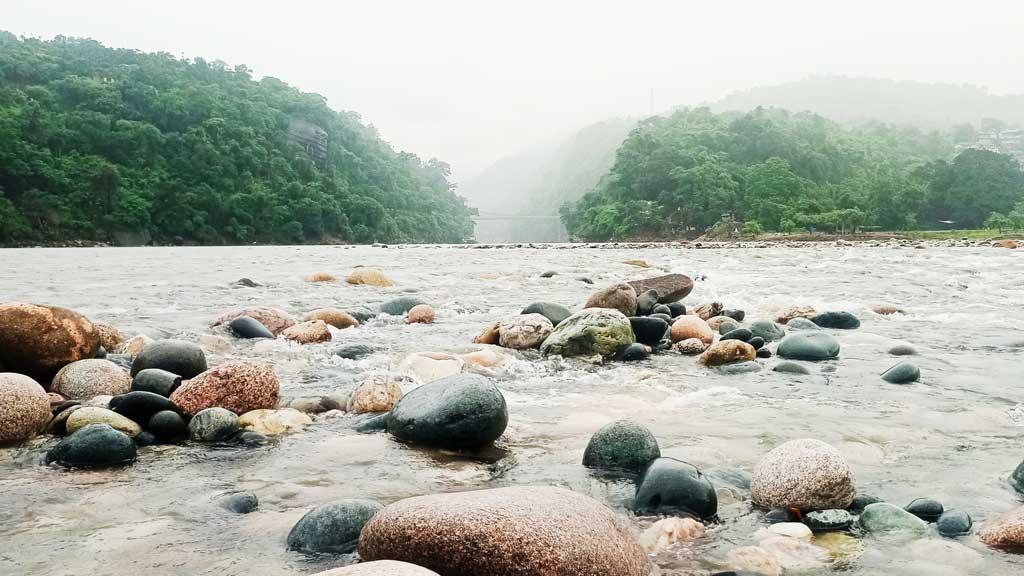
x=25, y=408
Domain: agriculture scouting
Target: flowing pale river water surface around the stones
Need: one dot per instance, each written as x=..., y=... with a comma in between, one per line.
x=956, y=436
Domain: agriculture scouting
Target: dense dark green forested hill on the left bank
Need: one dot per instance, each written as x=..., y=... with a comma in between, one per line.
x=102, y=144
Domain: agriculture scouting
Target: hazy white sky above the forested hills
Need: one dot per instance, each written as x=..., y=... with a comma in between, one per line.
x=471, y=81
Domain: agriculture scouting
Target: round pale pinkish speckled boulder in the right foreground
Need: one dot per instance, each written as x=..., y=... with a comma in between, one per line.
x=807, y=474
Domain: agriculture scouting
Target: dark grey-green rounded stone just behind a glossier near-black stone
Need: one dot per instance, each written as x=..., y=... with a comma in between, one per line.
x=624, y=445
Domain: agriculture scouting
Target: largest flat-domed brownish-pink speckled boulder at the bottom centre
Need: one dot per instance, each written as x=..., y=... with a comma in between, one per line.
x=526, y=531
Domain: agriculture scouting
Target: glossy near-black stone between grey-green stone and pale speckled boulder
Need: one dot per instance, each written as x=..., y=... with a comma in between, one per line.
x=671, y=486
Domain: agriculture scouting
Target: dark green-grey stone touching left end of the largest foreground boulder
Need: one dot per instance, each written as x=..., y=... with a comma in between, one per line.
x=332, y=528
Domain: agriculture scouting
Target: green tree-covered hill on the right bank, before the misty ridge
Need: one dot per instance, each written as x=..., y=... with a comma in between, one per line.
x=678, y=176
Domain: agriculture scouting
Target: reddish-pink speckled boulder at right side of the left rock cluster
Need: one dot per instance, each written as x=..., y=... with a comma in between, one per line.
x=240, y=387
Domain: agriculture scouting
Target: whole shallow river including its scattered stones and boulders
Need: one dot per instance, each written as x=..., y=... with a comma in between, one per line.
x=885, y=440
